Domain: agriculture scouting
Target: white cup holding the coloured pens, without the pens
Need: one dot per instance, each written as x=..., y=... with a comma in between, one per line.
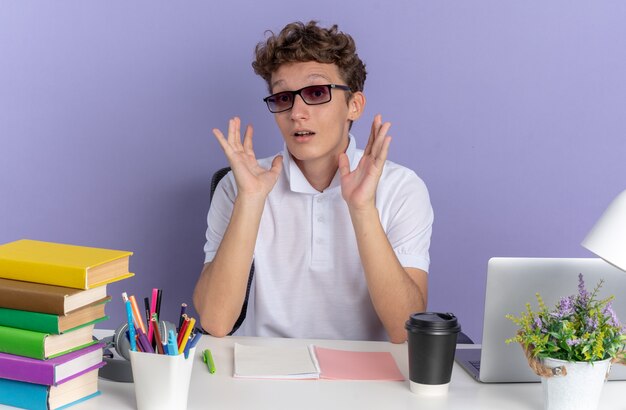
x=161, y=381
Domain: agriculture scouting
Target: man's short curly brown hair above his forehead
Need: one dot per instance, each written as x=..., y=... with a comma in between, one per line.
x=299, y=42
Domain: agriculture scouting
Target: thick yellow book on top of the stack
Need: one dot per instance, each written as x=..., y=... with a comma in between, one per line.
x=58, y=264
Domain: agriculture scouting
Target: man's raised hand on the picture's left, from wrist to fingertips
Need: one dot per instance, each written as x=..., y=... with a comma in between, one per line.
x=250, y=177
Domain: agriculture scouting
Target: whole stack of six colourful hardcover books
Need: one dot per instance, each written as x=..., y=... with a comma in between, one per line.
x=51, y=297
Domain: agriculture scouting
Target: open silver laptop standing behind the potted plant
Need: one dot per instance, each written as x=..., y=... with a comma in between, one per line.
x=513, y=282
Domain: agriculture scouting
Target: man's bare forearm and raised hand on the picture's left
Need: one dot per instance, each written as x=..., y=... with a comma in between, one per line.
x=221, y=289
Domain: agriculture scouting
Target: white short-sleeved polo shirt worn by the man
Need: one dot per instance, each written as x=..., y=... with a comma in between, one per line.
x=308, y=279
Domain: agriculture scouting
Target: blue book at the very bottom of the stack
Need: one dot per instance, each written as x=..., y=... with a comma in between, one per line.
x=41, y=397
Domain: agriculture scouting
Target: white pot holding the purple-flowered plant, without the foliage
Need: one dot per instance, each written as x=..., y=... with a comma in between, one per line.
x=579, y=389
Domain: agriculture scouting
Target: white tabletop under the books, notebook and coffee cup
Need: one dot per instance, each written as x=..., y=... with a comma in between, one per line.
x=222, y=391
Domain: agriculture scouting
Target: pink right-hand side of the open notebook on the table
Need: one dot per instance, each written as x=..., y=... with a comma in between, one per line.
x=348, y=365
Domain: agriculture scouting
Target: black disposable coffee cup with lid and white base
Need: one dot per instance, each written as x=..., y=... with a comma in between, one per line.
x=432, y=343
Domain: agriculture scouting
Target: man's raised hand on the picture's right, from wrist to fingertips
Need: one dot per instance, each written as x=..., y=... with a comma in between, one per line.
x=358, y=187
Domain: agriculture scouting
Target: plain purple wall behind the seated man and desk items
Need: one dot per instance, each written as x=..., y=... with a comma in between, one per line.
x=512, y=112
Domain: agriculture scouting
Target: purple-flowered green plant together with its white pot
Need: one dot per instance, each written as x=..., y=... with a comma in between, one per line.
x=571, y=347
